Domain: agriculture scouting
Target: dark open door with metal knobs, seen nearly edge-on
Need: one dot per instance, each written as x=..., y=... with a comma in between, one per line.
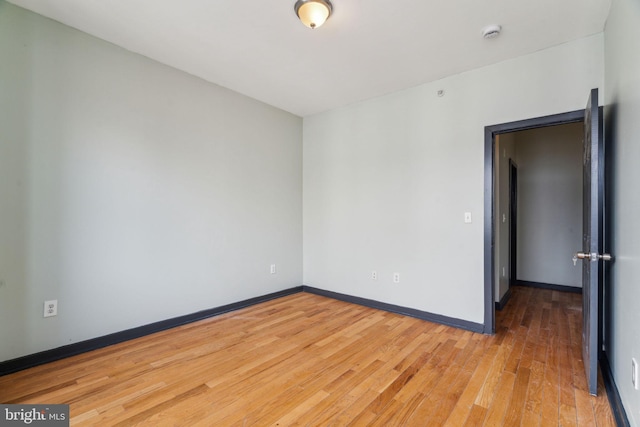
x=592, y=239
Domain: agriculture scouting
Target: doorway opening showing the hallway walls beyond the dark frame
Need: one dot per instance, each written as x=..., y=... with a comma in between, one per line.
x=539, y=170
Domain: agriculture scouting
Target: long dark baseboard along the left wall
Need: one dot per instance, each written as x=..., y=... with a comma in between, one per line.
x=47, y=356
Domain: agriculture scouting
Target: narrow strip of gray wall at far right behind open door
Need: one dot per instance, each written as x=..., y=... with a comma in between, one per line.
x=622, y=123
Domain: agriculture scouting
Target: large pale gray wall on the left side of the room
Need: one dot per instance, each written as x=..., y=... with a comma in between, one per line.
x=132, y=192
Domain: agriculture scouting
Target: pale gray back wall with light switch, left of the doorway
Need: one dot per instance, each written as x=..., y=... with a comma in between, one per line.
x=387, y=181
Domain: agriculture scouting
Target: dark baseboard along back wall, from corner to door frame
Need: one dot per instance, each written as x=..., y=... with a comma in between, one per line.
x=412, y=312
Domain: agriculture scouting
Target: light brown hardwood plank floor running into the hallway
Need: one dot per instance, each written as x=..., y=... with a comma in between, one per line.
x=313, y=361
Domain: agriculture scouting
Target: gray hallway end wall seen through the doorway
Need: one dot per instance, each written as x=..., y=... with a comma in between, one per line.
x=550, y=204
